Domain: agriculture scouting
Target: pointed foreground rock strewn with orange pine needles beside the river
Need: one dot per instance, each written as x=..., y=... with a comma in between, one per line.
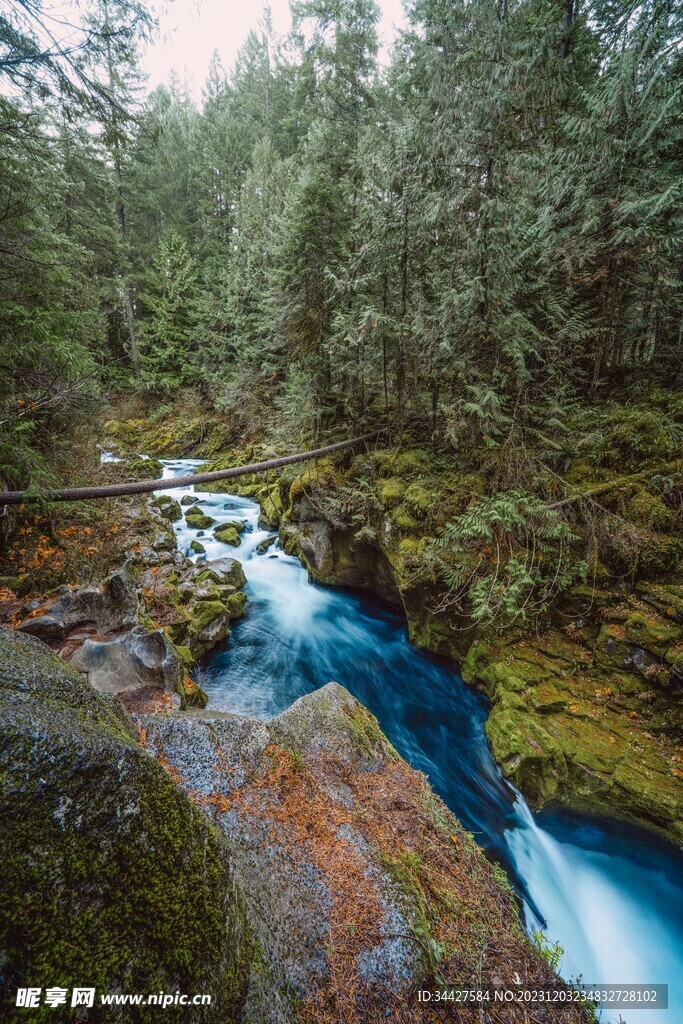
x=361, y=885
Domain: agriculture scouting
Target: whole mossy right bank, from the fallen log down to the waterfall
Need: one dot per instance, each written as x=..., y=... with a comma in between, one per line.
x=589, y=712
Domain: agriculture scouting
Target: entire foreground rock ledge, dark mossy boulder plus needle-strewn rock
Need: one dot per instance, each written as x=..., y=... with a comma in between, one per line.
x=307, y=874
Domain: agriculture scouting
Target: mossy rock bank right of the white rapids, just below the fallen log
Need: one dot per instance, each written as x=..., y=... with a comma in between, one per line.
x=377, y=538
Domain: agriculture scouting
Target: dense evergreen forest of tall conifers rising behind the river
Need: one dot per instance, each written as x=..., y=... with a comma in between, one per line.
x=472, y=239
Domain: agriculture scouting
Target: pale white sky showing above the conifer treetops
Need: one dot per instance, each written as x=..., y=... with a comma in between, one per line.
x=191, y=30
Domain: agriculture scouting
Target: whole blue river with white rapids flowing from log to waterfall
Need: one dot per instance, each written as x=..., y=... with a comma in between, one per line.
x=611, y=894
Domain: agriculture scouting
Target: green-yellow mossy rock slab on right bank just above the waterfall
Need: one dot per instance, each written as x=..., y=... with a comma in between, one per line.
x=593, y=723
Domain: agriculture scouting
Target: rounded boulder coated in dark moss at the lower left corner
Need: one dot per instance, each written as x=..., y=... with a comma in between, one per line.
x=111, y=877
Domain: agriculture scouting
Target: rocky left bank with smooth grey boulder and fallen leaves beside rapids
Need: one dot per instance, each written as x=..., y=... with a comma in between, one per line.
x=139, y=632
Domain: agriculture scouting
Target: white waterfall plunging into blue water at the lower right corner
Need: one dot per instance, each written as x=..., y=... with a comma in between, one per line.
x=611, y=913
